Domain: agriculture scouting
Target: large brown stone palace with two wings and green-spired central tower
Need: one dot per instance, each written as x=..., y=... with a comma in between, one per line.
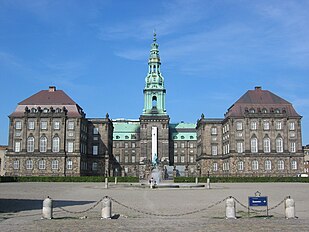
x=50, y=135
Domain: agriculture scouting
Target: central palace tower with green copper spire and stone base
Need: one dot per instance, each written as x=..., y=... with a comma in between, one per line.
x=154, y=121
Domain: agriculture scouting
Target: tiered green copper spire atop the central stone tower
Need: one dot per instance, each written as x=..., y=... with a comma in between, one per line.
x=154, y=91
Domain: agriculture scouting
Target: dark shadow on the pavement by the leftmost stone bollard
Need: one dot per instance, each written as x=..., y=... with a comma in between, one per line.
x=17, y=205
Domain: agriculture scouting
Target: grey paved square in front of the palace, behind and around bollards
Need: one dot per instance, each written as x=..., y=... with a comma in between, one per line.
x=134, y=207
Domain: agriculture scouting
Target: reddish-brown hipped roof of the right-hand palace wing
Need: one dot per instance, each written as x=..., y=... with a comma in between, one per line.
x=260, y=100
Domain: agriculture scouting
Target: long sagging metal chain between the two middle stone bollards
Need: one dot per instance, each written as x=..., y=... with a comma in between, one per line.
x=168, y=215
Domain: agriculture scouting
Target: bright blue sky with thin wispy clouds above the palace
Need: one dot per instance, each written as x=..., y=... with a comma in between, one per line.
x=212, y=52
